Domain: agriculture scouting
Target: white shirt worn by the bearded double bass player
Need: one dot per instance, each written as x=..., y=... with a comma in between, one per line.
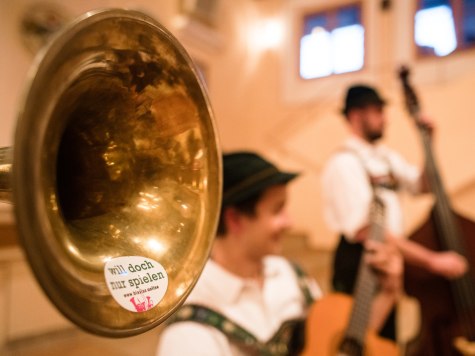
x=347, y=193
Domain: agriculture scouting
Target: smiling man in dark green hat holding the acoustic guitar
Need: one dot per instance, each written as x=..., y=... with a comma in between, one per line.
x=248, y=300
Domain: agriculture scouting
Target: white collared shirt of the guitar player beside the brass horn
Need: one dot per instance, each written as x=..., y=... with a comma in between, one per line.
x=260, y=310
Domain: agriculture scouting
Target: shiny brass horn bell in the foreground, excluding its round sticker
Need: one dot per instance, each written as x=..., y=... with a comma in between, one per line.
x=115, y=154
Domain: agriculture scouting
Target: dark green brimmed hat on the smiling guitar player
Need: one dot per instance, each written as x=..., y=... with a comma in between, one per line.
x=246, y=174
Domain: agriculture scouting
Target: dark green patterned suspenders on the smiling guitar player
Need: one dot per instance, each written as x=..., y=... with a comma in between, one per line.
x=277, y=345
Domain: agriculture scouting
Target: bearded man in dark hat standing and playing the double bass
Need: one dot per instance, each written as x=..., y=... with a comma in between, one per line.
x=361, y=169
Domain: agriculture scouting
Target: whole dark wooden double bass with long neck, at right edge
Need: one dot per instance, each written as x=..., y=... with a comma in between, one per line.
x=447, y=306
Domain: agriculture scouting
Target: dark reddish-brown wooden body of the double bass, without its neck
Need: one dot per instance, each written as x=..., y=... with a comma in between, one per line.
x=441, y=323
